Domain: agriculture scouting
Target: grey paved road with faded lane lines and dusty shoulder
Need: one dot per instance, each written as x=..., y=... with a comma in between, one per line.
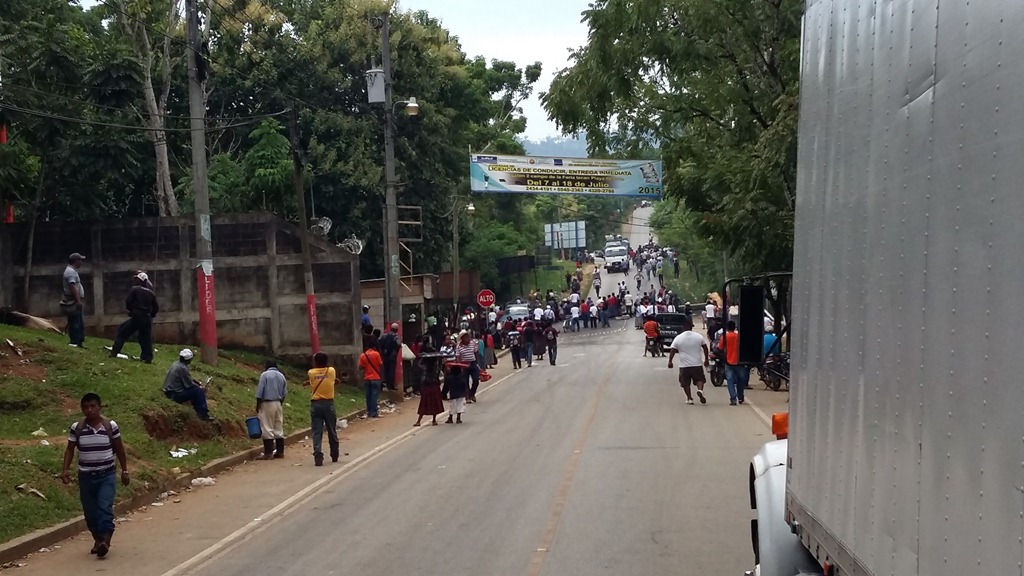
x=592, y=467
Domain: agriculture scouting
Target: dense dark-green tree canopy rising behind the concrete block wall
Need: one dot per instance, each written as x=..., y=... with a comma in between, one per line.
x=97, y=105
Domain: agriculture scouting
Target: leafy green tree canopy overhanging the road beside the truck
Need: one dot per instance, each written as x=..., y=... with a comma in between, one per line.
x=713, y=86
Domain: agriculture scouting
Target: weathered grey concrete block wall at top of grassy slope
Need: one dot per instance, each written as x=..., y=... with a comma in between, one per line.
x=261, y=292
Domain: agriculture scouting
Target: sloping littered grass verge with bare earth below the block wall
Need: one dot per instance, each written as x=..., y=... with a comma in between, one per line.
x=42, y=390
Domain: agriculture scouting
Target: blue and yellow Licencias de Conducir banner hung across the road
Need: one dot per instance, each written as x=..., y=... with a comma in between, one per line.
x=539, y=175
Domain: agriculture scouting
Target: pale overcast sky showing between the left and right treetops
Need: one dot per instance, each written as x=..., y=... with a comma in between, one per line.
x=524, y=32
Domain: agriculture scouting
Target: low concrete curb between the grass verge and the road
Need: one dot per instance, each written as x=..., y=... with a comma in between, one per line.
x=32, y=543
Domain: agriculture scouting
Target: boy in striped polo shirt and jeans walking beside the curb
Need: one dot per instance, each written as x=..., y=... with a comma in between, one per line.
x=98, y=441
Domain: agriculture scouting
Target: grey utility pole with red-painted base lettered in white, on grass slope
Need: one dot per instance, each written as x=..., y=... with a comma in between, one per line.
x=201, y=190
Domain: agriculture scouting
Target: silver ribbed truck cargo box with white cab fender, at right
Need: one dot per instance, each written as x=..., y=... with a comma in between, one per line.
x=906, y=450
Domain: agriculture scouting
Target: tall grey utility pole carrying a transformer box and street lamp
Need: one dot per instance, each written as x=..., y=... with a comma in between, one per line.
x=393, y=302
